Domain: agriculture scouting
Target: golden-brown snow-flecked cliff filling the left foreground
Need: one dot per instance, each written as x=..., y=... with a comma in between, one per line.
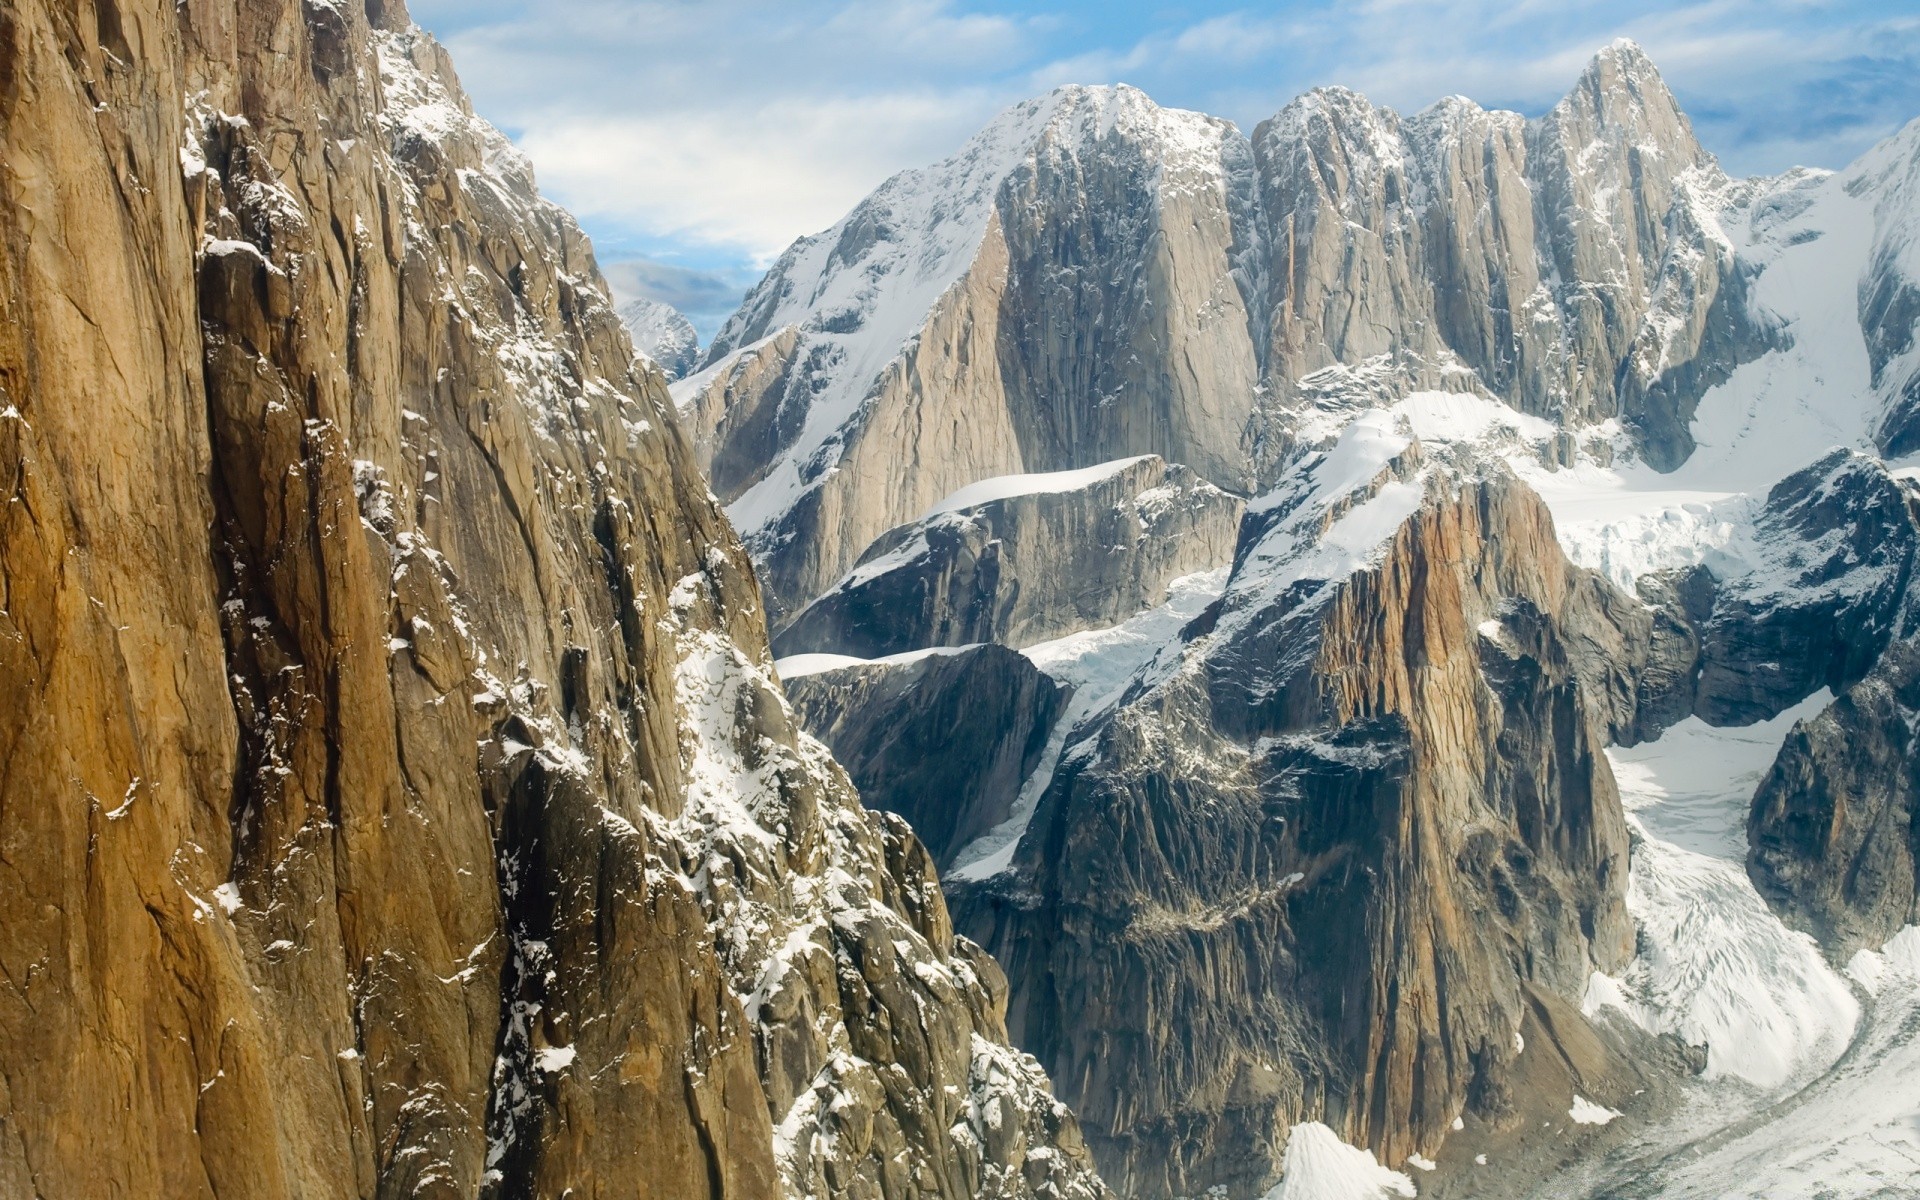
x=398, y=794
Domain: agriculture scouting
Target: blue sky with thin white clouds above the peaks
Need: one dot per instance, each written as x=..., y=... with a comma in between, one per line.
x=696, y=139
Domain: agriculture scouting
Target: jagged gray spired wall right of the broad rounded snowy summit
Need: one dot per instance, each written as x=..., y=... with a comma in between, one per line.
x=1504, y=254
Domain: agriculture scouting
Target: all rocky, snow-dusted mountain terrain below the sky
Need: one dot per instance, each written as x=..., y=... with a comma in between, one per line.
x=1378, y=658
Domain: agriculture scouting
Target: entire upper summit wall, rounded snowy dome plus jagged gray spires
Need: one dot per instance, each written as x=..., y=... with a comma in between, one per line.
x=949, y=331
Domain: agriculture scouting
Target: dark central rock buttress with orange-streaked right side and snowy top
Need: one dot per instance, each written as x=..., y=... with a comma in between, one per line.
x=1308, y=867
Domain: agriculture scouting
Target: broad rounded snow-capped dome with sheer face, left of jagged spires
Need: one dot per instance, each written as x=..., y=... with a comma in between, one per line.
x=944, y=331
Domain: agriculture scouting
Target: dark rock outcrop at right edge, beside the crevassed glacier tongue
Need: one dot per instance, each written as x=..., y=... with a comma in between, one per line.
x=1833, y=838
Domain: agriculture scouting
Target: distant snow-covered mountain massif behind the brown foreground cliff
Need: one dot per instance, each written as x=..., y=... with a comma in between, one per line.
x=1476, y=800
